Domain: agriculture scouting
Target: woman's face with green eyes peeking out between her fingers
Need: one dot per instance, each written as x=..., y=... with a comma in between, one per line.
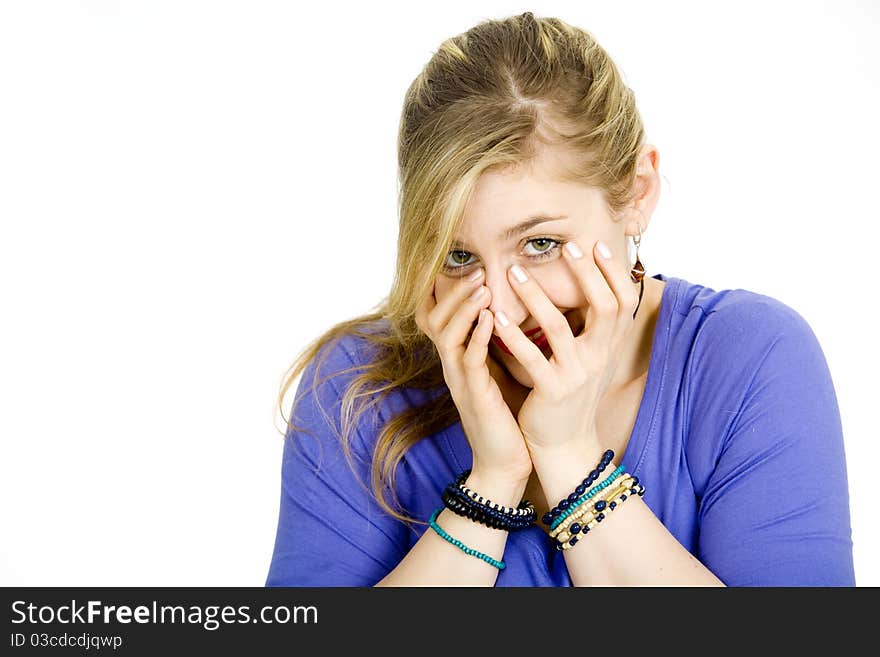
x=557, y=212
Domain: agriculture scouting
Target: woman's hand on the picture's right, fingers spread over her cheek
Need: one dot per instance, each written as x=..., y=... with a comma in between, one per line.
x=562, y=406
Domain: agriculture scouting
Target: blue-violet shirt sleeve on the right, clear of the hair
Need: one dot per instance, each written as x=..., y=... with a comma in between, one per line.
x=774, y=511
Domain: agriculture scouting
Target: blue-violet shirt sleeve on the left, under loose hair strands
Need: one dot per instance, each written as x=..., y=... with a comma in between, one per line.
x=331, y=531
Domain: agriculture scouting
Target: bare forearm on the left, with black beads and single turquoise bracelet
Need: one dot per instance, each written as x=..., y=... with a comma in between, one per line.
x=433, y=561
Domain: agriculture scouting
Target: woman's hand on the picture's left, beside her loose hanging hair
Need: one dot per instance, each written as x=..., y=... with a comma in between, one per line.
x=499, y=449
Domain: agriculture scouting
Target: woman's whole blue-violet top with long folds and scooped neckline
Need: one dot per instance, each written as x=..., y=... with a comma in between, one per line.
x=738, y=442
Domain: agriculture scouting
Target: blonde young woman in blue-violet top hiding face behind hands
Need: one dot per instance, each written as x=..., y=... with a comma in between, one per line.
x=526, y=407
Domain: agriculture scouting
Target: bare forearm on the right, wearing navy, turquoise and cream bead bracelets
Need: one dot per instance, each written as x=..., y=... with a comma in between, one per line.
x=630, y=547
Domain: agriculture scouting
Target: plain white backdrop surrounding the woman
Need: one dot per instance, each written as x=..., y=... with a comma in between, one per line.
x=192, y=191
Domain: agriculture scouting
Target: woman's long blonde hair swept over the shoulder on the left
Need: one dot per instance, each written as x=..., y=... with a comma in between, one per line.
x=487, y=98
